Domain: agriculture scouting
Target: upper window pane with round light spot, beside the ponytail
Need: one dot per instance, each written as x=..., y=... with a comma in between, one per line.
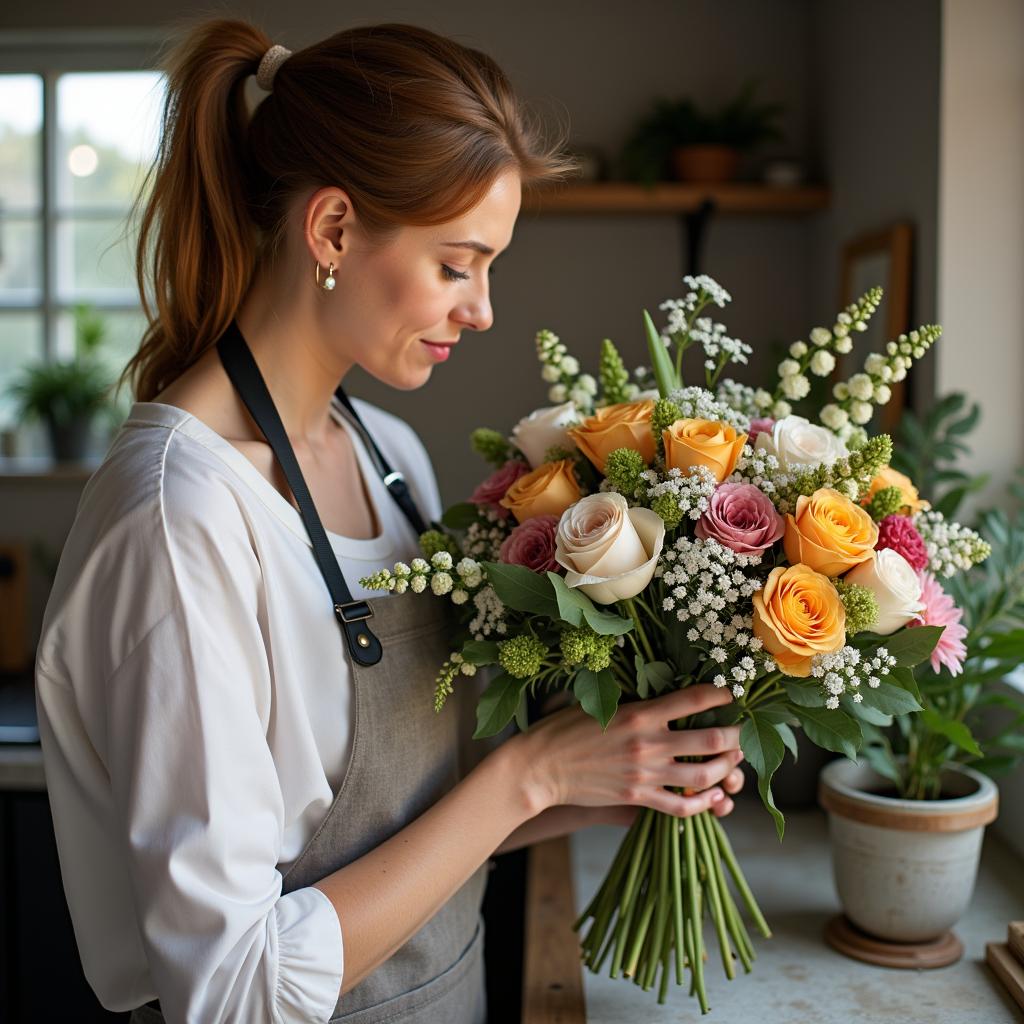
x=108, y=129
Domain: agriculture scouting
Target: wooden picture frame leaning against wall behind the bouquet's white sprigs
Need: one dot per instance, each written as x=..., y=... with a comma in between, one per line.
x=884, y=258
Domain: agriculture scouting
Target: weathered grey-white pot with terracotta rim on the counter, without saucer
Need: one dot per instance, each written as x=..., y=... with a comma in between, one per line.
x=906, y=869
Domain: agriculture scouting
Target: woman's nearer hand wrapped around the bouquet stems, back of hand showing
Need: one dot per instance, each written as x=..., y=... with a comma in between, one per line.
x=568, y=759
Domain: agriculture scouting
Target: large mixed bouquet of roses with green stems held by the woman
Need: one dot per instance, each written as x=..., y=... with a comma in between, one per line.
x=641, y=536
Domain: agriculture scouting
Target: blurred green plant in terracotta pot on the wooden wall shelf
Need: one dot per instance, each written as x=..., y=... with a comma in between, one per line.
x=679, y=141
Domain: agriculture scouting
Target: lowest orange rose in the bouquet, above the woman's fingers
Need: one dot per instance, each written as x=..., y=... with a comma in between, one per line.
x=797, y=616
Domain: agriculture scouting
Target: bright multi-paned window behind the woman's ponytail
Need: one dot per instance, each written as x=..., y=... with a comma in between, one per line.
x=75, y=145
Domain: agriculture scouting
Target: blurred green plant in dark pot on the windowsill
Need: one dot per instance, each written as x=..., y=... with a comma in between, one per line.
x=68, y=395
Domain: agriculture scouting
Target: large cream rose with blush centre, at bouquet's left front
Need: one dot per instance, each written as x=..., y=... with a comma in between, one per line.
x=610, y=550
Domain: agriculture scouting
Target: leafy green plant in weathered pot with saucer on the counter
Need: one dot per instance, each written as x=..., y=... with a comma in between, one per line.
x=908, y=824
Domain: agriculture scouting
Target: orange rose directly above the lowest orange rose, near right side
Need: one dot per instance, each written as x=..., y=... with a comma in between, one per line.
x=830, y=533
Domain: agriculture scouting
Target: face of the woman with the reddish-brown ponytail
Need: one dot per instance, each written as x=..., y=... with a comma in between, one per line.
x=399, y=310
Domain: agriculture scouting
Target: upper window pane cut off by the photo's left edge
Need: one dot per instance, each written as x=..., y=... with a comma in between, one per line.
x=21, y=143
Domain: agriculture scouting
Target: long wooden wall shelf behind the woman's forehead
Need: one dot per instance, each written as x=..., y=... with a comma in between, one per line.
x=624, y=197
